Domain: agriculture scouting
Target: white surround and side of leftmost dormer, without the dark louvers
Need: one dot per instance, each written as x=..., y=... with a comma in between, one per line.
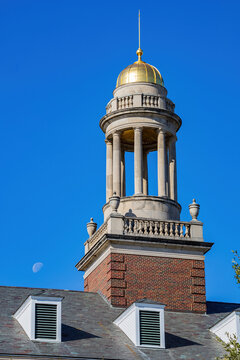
x=25, y=315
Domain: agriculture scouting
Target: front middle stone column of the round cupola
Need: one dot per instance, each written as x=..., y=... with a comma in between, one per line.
x=138, y=161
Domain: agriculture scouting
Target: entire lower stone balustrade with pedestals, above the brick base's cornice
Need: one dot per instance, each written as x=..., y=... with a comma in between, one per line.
x=117, y=224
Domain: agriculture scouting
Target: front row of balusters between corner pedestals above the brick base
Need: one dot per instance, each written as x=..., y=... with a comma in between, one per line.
x=137, y=226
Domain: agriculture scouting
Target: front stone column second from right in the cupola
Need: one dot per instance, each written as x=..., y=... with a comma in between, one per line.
x=161, y=149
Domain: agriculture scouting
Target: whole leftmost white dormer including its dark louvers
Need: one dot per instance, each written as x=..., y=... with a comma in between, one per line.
x=40, y=318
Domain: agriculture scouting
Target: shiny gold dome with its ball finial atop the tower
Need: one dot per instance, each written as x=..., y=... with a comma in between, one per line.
x=140, y=71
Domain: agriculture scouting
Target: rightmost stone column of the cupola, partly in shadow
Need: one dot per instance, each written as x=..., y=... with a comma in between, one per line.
x=172, y=169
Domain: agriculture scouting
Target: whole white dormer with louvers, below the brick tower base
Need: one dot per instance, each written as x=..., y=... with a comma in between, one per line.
x=143, y=323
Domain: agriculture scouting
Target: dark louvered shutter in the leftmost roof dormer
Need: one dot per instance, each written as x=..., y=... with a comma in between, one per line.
x=45, y=321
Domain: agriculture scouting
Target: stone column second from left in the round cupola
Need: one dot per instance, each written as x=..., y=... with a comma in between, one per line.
x=117, y=163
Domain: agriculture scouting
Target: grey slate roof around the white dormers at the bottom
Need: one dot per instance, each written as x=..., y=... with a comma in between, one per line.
x=88, y=331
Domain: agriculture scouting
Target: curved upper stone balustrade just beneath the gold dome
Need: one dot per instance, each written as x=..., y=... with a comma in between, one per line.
x=139, y=100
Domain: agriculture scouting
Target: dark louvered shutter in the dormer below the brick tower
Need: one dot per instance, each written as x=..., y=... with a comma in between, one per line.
x=149, y=328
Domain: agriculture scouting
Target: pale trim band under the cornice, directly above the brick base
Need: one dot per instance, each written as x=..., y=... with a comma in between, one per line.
x=146, y=251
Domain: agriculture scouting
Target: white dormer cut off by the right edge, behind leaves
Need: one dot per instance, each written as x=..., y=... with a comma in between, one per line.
x=230, y=325
